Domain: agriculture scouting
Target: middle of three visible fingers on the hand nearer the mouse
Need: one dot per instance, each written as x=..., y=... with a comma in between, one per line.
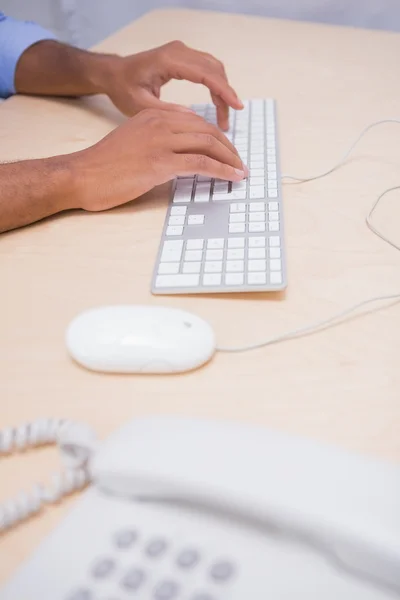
x=201, y=143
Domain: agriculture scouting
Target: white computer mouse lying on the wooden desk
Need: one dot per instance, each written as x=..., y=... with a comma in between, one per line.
x=140, y=339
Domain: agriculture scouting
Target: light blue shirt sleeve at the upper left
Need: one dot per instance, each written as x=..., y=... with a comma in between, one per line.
x=15, y=38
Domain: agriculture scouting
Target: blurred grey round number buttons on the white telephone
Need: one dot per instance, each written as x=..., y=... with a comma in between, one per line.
x=159, y=568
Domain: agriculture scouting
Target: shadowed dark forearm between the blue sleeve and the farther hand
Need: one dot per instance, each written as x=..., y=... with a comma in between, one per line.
x=56, y=69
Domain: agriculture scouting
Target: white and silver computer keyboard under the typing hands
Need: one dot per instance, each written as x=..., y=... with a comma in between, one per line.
x=221, y=236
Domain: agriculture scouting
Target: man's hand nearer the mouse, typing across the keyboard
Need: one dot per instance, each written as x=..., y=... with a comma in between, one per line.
x=150, y=149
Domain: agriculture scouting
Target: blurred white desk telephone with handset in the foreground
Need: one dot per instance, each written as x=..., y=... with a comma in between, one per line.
x=190, y=509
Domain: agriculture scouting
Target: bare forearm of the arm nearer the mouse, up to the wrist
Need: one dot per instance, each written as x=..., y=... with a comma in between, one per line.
x=34, y=189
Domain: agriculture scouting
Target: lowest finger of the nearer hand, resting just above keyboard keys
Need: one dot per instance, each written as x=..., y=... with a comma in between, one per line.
x=198, y=164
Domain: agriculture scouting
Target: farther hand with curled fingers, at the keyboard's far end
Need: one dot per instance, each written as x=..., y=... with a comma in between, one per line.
x=135, y=81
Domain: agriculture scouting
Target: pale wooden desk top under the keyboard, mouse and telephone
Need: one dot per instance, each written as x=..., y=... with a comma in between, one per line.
x=341, y=385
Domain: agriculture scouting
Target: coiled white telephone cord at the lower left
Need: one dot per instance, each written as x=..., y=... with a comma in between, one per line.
x=76, y=443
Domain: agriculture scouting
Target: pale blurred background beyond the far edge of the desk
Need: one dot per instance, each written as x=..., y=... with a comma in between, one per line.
x=85, y=22
